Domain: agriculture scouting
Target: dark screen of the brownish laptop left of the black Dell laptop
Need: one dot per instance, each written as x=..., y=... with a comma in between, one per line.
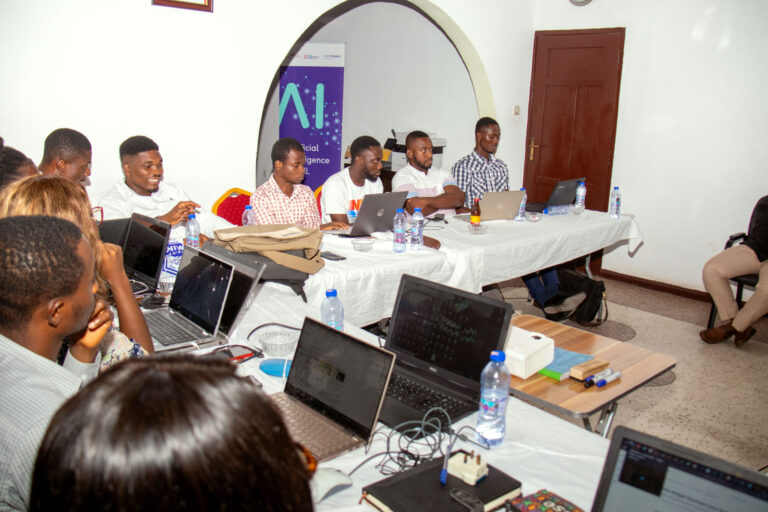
x=339, y=376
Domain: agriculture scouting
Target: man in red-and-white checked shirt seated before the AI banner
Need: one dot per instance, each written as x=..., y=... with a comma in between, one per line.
x=282, y=199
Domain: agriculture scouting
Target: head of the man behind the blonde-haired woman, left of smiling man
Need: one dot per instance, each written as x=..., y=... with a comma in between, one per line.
x=67, y=153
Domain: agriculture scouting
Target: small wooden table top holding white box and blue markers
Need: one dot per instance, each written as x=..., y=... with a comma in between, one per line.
x=637, y=365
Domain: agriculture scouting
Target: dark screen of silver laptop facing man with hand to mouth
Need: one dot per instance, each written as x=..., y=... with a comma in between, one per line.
x=201, y=288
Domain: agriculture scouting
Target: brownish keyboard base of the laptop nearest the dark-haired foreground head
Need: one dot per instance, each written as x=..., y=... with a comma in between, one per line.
x=319, y=435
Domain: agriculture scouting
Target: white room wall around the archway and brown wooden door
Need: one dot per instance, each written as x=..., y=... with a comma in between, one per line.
x=690, y=151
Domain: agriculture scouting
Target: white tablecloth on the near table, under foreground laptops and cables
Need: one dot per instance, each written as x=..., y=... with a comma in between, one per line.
x=540, y=450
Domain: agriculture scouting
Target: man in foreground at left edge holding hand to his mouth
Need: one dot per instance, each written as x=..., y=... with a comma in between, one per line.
x=46, y=299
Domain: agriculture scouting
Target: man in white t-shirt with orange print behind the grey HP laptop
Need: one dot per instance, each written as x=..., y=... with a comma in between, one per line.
x=344, y=191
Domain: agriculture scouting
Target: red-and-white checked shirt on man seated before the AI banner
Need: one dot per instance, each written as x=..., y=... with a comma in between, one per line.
x=272, y=206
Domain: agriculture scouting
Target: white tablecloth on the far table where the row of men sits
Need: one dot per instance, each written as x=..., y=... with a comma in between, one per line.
x=367, y=282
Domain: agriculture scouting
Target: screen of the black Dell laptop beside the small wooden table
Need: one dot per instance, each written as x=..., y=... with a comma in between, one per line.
x=442, y=329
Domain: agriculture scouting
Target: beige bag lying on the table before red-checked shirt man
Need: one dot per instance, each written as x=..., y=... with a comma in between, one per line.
x=273, y=240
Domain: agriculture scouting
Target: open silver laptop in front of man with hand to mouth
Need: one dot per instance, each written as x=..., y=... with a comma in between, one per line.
x=197, y=302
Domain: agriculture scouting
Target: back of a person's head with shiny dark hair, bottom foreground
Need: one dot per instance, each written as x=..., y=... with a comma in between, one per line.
x=169, y=433
